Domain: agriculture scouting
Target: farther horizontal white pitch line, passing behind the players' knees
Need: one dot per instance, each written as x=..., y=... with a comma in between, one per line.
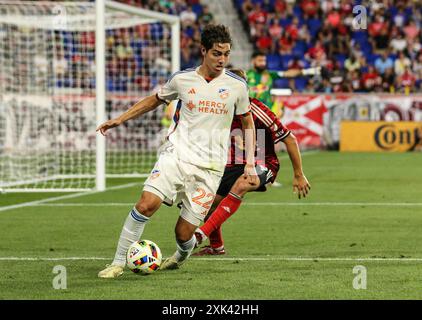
x=309, y=204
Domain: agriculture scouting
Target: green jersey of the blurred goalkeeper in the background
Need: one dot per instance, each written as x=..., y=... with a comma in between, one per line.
x=260, y=85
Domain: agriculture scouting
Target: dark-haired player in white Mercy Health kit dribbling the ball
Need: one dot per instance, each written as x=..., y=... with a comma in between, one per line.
x=192, y=160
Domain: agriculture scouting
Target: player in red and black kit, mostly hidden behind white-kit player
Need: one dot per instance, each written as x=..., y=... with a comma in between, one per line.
x=234, y=186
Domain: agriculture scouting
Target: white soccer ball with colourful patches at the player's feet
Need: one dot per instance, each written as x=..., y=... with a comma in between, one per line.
x=143, y=256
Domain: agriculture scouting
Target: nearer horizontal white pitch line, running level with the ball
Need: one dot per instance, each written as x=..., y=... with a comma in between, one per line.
x=265, y=258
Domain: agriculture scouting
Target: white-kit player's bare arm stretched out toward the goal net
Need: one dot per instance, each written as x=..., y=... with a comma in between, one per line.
x=142, y=106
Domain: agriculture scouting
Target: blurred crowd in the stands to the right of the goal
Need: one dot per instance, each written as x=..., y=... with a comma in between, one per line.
x=383, y=55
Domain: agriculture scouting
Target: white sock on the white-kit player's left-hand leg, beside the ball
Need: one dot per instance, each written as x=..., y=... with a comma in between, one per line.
x=131, y=232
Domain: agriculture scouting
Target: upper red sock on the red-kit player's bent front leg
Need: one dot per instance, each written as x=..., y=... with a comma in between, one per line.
x=225, y=209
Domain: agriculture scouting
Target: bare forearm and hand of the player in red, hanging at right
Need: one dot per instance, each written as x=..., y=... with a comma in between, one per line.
x=301, y=186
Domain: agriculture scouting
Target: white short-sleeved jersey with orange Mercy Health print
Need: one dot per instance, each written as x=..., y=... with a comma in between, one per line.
x=203, y=116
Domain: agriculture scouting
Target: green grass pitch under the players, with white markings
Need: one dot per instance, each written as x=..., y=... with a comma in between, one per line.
x=363, y=209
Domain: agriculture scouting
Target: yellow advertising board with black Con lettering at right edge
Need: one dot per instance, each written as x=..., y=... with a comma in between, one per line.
x=380, y=136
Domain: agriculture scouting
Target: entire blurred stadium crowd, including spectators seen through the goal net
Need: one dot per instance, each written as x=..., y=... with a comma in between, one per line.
x=385, y=55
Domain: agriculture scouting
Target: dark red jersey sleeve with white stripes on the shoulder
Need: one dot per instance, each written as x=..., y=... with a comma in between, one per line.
x=269, y=119
